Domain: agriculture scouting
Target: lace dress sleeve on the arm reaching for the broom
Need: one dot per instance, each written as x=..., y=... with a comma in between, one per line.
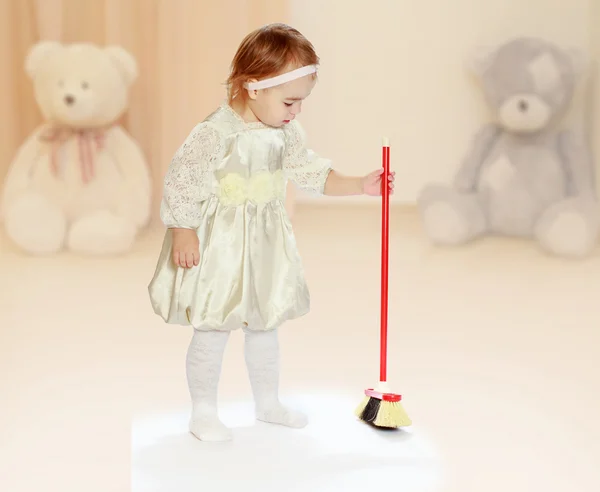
x=302, y=166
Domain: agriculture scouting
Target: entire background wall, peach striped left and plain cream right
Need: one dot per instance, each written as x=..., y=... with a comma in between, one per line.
x=390, y=67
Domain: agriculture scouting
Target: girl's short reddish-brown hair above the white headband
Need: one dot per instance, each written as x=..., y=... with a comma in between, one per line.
x=267, y=52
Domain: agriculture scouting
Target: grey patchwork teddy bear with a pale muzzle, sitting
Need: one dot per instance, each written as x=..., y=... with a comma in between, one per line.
x=524, y=175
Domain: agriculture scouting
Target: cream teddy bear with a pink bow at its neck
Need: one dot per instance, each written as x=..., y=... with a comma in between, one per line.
x=79, y=182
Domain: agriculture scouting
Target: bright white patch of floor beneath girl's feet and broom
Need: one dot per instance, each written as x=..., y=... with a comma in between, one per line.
x=333, y=453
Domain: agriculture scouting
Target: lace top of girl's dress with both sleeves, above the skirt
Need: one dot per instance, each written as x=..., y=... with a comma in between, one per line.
x=221, y=144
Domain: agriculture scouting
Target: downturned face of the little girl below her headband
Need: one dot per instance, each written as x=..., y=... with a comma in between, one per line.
x=279, y=105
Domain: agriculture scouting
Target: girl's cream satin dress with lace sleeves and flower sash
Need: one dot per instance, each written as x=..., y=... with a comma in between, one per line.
x=227, y=181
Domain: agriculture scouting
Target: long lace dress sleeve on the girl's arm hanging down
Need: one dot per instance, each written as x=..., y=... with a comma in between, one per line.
x=188, y=180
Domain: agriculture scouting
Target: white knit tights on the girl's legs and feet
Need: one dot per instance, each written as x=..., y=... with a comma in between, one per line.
x=203, y=367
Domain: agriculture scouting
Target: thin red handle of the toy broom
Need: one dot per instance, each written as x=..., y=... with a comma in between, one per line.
x=385, y=227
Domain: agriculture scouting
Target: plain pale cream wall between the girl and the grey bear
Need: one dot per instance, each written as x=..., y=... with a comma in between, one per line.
x=397, y=68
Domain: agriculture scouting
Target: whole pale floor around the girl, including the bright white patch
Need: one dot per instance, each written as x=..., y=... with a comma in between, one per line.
x=495, y=348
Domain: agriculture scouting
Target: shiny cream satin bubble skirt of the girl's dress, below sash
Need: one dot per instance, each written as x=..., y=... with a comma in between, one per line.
x=250, y=272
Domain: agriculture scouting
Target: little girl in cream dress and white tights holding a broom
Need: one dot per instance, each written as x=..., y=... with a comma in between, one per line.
x=229, y=258
